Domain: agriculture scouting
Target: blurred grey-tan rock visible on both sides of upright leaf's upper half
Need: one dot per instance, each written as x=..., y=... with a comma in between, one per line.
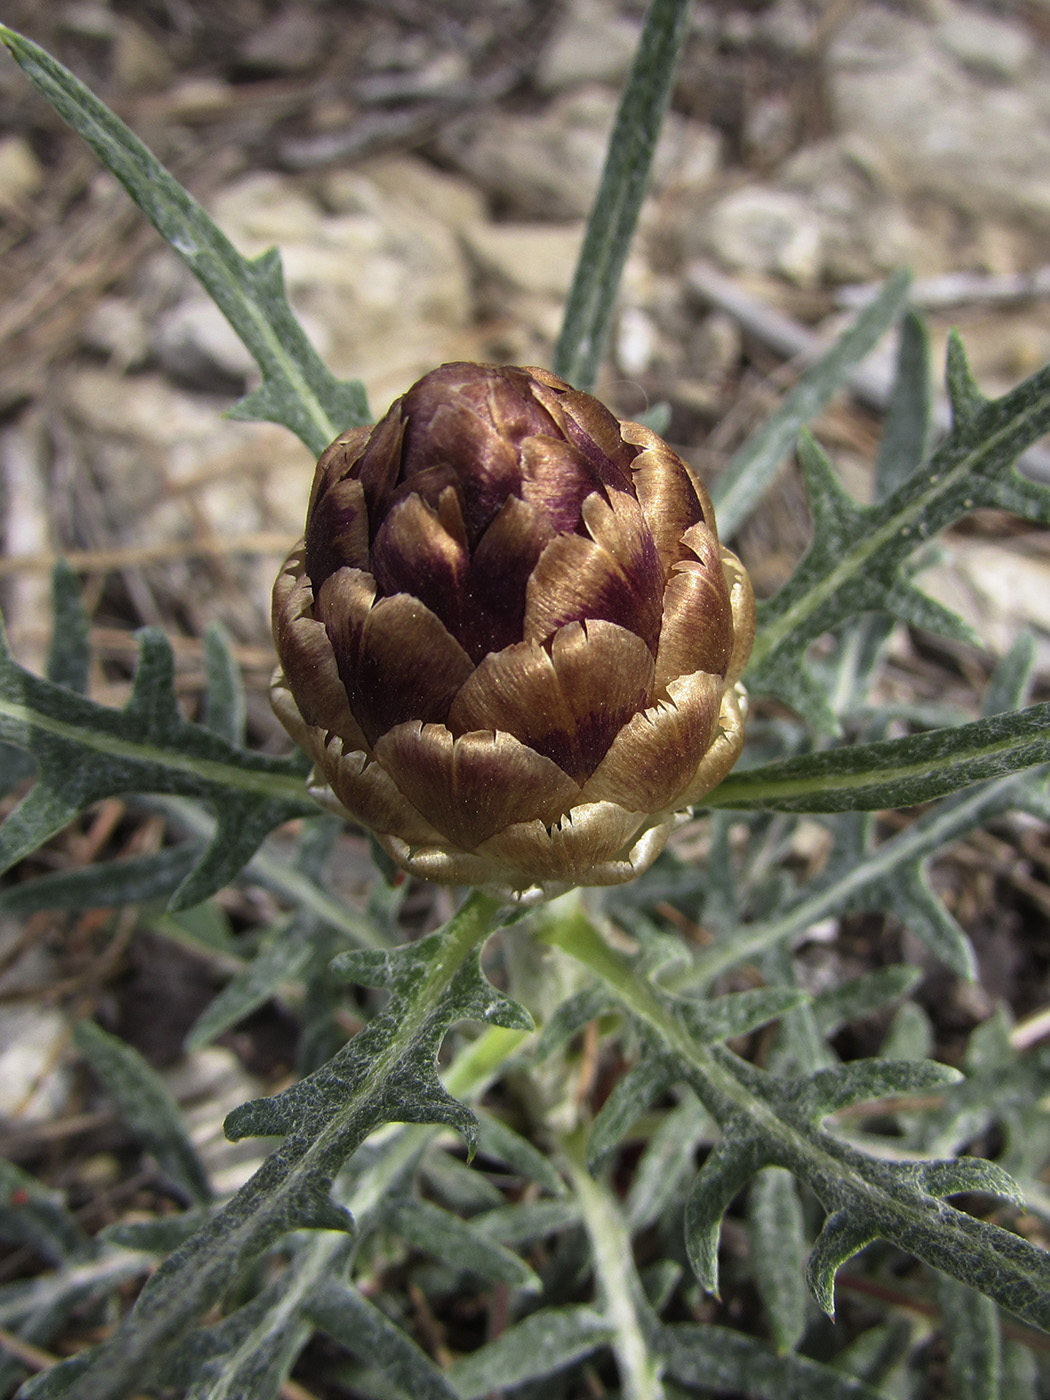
x=549, y=164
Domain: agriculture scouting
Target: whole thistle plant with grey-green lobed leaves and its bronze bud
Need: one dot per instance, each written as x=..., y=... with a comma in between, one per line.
x=512, y=646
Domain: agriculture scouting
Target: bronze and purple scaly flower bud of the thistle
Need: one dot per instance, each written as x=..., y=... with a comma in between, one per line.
x=510, y=638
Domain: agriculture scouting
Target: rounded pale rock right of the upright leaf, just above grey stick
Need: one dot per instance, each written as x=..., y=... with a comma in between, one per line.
x=762, y=230
